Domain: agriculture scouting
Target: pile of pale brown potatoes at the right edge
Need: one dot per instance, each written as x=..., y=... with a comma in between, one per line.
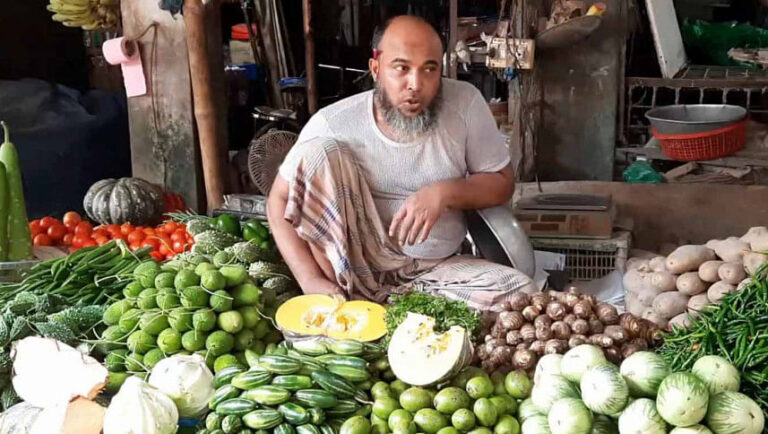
x=671, y=290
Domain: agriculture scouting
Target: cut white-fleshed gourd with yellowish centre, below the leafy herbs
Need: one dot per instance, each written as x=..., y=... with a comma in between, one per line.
x=420, y=356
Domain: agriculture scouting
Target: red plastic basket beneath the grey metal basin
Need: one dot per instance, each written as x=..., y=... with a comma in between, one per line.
x=703, y=146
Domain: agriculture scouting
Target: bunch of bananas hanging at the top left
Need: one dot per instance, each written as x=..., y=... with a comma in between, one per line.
x=88, y=14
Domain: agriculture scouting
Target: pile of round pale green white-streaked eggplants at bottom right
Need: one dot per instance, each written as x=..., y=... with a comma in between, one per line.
x=582, y=393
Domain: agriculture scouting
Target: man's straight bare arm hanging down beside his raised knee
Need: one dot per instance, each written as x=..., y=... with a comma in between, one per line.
x=294, y=250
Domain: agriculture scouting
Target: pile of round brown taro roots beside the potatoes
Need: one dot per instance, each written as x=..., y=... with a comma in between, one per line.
x=552, y=322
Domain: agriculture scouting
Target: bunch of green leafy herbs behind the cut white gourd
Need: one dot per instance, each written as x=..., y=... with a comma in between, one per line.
x=447, y=313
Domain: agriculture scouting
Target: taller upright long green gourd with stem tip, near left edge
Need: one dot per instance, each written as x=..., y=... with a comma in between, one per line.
x=19, y=238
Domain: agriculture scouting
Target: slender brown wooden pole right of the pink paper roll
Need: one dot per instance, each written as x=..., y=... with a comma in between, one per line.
x=205, y=105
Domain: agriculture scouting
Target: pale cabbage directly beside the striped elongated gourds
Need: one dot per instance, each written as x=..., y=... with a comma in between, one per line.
x=187, y=381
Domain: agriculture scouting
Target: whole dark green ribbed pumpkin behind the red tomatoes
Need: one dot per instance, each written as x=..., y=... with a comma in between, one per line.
x=117, y=201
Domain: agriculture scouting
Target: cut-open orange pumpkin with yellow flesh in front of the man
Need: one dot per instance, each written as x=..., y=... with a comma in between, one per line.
x=321, y=315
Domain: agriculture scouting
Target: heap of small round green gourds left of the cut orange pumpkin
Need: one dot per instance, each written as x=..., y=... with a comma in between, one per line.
x=187, y=306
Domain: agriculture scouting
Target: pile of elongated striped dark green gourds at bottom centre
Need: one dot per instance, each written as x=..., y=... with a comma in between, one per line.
x=308, y=387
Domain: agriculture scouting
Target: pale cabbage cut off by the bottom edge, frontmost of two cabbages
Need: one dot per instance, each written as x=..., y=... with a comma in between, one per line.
x=140, y=408
